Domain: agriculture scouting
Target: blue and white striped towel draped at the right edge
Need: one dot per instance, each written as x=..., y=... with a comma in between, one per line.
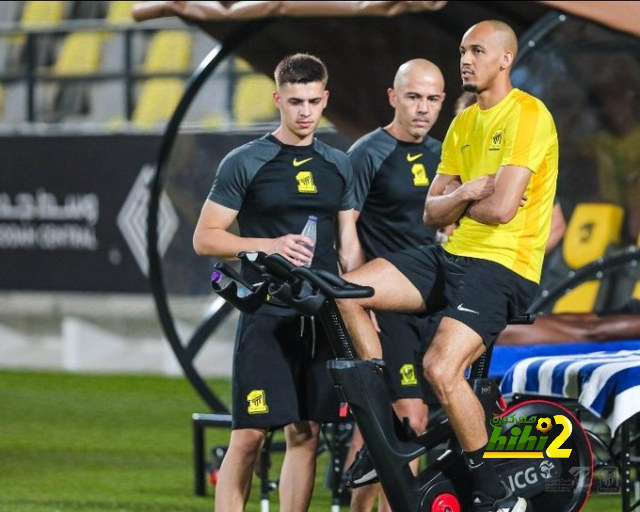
x=606, y=383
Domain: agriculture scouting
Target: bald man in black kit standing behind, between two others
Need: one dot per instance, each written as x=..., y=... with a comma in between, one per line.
x=393, y=168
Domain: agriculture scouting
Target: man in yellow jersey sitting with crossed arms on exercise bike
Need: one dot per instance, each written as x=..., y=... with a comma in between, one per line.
x=497, y=179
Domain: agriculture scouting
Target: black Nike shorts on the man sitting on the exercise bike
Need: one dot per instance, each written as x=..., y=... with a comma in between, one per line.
x=481, y=294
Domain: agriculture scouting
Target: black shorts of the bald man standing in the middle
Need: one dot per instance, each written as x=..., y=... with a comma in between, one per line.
x=404, y=340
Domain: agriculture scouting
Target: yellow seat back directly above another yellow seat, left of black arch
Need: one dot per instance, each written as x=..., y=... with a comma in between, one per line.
x=169, y=51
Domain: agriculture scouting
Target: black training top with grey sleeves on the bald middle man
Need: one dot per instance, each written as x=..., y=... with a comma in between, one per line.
x=392, y=179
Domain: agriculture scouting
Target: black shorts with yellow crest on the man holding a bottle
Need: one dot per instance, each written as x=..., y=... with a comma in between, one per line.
x=280, y=373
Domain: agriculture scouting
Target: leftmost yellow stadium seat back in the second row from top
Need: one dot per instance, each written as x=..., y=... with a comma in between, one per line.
x=80, y=54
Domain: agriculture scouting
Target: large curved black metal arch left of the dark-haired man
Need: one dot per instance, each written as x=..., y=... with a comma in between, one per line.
x=186, y=352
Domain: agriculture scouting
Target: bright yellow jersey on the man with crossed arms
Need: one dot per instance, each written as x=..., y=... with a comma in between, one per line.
x=518, y=131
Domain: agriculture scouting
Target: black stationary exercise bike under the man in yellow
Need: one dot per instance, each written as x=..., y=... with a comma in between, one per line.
x=445, y=484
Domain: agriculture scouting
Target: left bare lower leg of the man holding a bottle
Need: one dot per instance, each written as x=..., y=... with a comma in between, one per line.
x=234, y=479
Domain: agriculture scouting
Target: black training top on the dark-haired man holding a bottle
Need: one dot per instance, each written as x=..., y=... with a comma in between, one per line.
x=275, y=187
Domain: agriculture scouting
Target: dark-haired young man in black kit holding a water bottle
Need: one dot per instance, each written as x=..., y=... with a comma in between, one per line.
x=271, y=186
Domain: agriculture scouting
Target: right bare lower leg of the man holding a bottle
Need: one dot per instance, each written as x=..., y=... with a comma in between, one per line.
x=299, y=467
